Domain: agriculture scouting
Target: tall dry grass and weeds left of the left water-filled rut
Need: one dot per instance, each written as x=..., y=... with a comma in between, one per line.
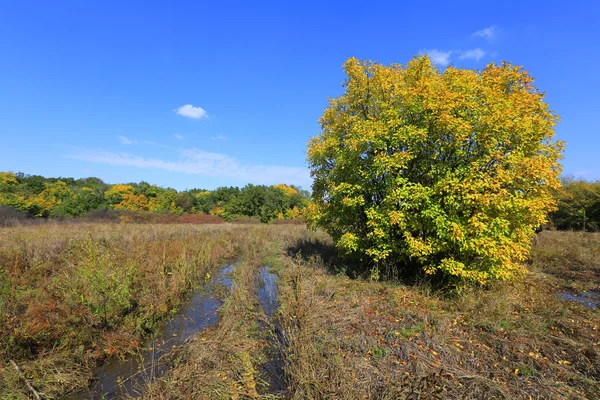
x=72, y=295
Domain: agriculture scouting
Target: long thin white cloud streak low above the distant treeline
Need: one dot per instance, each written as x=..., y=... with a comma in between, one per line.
x=200, y=162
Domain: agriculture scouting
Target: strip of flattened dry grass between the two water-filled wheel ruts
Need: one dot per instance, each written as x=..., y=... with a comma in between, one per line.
x=224, y=362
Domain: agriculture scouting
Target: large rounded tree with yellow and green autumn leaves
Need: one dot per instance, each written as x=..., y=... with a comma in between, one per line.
x=447, y=172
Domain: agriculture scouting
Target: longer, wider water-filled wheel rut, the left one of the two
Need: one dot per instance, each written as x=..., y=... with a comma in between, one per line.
x=117, y=378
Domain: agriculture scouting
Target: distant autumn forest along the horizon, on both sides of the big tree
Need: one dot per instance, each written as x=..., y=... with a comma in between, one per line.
x=38, y=196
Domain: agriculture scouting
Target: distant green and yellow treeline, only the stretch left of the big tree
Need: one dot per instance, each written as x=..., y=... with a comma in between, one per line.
x=68, y=197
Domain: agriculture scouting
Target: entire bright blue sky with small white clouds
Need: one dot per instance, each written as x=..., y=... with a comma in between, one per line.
x=202, y=94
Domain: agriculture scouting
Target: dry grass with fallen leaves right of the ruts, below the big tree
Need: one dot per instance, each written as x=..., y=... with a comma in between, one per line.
x=355, y=339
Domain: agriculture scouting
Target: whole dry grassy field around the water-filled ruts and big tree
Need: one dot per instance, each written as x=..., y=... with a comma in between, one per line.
x=73, y=296
